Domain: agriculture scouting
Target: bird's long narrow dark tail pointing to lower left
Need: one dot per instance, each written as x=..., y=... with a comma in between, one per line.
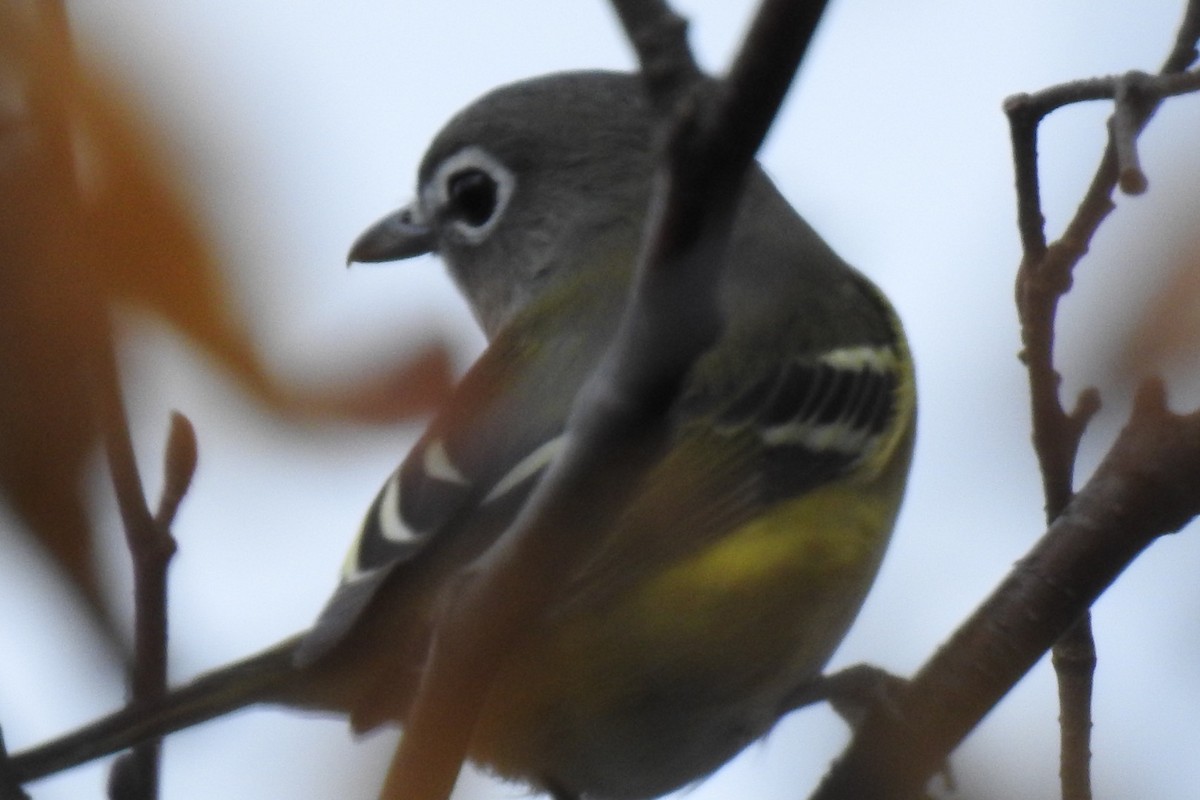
x=253, y=681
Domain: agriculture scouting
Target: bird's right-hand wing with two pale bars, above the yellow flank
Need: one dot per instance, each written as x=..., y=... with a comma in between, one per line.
x=803, y=424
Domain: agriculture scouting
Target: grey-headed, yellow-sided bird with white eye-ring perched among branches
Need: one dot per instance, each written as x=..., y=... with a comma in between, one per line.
x=739, y=562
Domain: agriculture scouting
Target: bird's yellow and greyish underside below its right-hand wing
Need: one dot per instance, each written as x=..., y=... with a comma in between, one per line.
x=662, y=669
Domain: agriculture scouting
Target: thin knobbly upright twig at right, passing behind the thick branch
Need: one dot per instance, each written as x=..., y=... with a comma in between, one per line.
x=1043, y=279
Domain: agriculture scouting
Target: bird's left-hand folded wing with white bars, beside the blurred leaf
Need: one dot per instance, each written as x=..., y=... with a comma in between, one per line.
x=466, y=478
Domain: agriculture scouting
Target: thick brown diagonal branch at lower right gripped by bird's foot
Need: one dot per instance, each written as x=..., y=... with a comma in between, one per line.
x=1144, y=489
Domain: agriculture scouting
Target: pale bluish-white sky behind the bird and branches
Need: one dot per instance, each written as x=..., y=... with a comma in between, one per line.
x=303, y=122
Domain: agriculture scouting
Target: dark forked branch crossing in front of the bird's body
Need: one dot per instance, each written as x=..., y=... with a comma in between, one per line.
x=620, y=417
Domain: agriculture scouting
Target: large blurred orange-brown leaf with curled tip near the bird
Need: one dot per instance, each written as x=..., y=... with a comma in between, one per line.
x=92, y=214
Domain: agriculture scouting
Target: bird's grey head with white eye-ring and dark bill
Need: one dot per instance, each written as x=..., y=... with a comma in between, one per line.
x=524, y=185
